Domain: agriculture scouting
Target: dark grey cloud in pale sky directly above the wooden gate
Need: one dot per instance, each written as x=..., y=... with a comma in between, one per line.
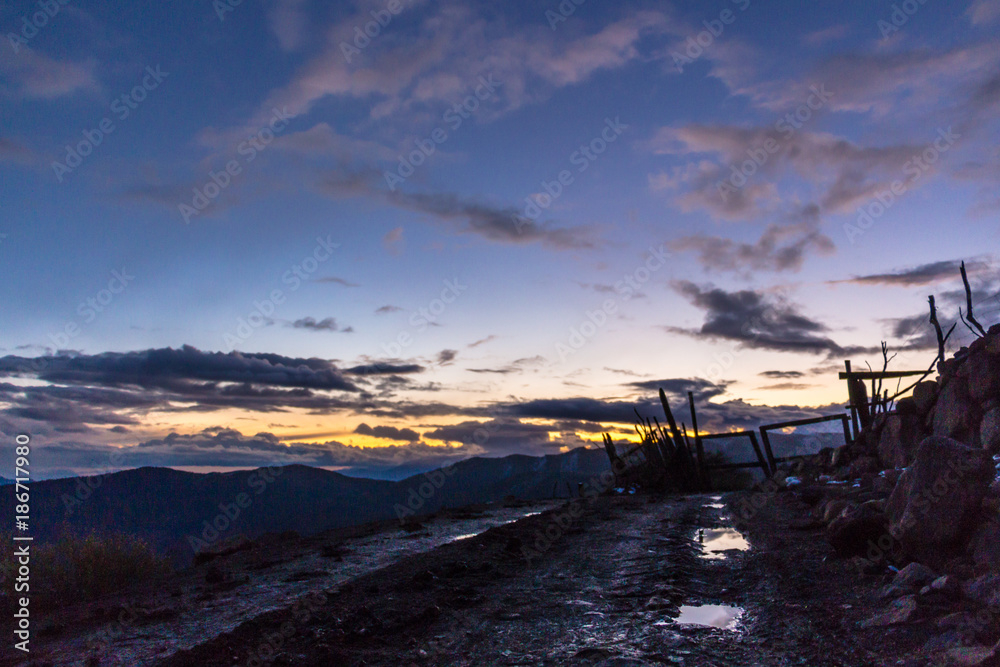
x=755, y=321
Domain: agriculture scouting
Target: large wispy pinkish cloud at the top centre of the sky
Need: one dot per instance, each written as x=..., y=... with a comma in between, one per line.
x=443, y=51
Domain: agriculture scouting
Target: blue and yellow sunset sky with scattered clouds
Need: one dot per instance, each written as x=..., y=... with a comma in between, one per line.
x=364, y=235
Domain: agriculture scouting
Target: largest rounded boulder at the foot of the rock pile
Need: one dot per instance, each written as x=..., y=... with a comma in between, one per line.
x=938, y=496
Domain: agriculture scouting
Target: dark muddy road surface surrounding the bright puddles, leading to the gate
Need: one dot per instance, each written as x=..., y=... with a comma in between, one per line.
x=604, y=588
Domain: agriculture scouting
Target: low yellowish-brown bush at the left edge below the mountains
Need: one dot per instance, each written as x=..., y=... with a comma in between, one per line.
x=78, y=568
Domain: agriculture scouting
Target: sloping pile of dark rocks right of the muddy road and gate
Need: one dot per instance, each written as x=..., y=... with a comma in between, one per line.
x=917, y=498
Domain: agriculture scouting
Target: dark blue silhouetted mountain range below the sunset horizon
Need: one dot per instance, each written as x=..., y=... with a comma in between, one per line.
x=166, y=506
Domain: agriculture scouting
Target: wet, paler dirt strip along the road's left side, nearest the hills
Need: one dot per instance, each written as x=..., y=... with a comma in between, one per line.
x=249, y=579
